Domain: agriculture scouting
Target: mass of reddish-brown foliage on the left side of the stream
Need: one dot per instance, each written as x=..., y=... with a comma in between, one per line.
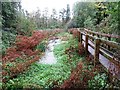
x=24, y=46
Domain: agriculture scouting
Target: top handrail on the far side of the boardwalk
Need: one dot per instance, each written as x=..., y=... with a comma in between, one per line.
x=102, y=34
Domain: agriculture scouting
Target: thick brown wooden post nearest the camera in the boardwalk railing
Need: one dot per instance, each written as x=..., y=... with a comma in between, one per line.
x=96, y=54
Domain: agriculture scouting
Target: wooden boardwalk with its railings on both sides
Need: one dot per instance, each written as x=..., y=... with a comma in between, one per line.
x=101, y=49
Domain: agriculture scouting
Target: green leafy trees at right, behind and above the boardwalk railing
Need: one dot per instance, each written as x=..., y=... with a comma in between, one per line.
x=98, y=16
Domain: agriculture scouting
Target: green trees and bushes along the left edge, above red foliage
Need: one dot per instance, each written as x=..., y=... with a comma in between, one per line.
x=14, y=22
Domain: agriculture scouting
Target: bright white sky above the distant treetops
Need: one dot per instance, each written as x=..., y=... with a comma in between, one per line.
x=31, y=5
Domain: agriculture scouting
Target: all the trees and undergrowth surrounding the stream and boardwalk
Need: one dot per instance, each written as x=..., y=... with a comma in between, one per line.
x=25, y=37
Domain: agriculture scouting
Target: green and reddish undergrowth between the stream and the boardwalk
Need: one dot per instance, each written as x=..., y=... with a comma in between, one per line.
x=70, y=71
